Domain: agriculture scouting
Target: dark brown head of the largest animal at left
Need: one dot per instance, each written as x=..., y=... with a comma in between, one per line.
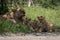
x=19, y=14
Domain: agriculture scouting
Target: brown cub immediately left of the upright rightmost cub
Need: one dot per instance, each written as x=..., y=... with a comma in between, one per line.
x=37, y=26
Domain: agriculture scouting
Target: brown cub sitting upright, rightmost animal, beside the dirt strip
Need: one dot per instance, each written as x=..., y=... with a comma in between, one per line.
x=45, y=25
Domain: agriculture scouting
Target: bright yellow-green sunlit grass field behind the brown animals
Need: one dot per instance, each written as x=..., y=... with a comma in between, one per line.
x=52, y=15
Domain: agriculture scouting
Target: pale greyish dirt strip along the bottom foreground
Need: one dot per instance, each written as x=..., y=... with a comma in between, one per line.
x=31, y=36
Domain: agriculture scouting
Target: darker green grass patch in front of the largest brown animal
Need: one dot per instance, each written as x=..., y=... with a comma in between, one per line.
x=7, y=26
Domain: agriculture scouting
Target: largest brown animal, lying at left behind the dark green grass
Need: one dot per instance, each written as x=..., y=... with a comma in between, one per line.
x=15, y=15
